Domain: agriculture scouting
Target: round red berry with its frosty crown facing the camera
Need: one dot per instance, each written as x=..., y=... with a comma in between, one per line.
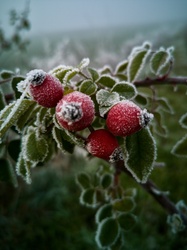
x=75, y=111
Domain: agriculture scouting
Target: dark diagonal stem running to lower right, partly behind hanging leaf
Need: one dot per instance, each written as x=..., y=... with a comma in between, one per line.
x=154, y=191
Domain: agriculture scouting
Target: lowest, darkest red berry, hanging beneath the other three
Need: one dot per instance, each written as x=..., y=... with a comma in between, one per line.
x=101, y=143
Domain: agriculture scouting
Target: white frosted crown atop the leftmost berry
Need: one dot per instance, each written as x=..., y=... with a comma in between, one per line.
x=36, y=77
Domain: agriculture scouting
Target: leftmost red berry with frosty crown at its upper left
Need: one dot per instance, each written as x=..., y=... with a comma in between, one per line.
x=44, y=88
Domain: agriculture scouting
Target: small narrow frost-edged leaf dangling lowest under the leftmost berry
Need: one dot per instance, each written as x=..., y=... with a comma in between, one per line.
x=23, y=168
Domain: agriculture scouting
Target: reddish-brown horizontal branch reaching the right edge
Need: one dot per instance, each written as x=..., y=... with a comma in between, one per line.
x=162, y=80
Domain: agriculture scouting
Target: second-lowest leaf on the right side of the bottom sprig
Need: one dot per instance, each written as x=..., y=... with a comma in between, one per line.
x=126, y=204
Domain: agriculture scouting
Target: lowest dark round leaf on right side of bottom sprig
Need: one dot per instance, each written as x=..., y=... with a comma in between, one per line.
x=127, y=221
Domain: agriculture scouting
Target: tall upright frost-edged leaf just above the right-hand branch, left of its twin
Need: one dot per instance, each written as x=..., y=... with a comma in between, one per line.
x=136, y=64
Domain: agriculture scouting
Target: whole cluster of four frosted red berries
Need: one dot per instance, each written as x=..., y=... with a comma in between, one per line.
x=75, y=111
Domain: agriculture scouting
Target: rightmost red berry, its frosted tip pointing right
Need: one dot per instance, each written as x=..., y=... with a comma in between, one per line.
x=126, y=118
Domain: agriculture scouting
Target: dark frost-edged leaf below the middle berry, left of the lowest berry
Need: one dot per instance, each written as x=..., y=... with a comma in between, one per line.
x=63, y=144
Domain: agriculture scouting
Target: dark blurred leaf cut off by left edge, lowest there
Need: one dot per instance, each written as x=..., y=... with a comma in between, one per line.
x=7, y=173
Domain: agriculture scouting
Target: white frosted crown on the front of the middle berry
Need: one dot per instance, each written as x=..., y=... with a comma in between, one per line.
x=71, y=112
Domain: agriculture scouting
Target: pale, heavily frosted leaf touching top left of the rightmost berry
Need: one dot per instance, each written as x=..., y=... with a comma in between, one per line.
x=106, y=98
